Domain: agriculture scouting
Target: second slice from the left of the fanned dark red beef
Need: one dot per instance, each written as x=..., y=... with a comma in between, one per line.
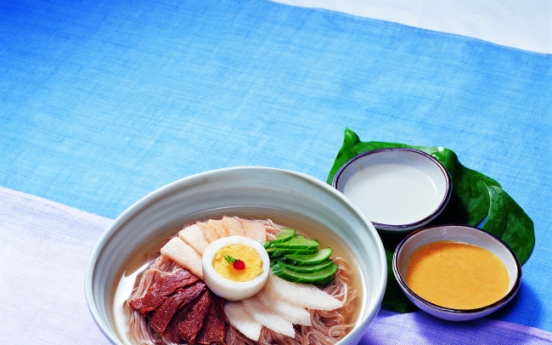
x=164, y=314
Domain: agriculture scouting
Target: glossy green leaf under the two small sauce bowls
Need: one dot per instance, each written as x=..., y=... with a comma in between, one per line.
x=476, y=200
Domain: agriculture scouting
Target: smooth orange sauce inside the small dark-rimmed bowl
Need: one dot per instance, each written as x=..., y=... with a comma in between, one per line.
x=457, y=275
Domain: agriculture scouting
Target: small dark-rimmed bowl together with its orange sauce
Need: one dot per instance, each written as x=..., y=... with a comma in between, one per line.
x=456, y=272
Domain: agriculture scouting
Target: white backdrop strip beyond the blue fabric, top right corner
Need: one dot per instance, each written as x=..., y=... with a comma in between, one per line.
x=523, y=24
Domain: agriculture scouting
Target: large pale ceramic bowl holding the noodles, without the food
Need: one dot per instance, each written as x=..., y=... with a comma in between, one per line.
x=241, y=190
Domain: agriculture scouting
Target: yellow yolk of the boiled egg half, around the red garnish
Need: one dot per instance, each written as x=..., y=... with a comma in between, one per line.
x=252, y=259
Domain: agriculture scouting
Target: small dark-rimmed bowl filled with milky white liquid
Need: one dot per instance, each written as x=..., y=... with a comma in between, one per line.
x=399, y=189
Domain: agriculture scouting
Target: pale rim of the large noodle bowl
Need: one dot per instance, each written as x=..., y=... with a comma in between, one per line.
x=153, y=196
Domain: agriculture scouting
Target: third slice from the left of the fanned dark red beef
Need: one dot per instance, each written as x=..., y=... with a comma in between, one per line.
x=189, y=320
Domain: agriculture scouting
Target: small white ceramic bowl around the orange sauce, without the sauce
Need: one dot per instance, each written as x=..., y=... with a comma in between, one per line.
x=457, y=233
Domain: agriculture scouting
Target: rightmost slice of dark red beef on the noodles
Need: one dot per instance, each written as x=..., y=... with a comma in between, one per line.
x=214, y=327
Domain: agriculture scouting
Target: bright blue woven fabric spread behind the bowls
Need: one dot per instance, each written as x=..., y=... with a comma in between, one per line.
x=102, y=102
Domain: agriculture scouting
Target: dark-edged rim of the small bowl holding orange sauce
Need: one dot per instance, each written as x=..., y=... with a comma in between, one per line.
x=506, y=298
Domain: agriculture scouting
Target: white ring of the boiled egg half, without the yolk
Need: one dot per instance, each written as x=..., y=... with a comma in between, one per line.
x=226, y=288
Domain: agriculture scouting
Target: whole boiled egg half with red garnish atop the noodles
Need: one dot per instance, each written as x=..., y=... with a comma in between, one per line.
x=230, y=279
